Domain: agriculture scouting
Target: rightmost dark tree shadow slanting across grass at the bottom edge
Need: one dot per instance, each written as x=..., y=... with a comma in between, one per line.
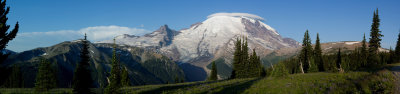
x=238, y=88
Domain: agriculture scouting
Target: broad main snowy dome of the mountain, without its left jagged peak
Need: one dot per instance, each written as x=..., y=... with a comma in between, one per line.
x=215, y=37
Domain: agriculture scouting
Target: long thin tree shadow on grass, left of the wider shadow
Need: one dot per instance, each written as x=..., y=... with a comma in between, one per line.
x=166, y=88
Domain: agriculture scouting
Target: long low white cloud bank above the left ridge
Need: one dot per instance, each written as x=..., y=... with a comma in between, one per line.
x=29, y=40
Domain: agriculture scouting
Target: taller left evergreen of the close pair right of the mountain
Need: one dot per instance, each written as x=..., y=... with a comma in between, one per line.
x=306, y=52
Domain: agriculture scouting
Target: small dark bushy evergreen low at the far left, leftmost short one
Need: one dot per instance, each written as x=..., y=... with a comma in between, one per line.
x=15, y=80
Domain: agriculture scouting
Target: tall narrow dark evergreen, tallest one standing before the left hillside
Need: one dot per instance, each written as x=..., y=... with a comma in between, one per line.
x=82, y=80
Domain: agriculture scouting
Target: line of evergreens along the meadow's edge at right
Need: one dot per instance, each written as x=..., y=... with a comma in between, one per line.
x=365, y=58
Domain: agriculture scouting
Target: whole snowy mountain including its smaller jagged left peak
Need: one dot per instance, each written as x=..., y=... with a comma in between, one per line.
x=213, y=39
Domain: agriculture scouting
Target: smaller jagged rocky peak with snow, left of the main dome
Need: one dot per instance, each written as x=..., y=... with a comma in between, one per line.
x=159, y=38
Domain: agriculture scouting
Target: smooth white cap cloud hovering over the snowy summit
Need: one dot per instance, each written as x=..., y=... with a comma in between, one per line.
x=237, y=15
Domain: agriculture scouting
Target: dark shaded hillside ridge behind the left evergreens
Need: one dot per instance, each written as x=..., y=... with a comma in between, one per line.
x=144, y=66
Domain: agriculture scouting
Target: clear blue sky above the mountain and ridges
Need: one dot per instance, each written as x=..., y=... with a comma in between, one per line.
x=335, y=20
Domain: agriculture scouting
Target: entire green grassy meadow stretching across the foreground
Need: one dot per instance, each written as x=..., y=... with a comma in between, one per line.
x=383, y=81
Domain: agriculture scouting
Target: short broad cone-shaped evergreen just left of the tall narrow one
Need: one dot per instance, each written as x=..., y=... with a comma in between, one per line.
x=46, y=77
